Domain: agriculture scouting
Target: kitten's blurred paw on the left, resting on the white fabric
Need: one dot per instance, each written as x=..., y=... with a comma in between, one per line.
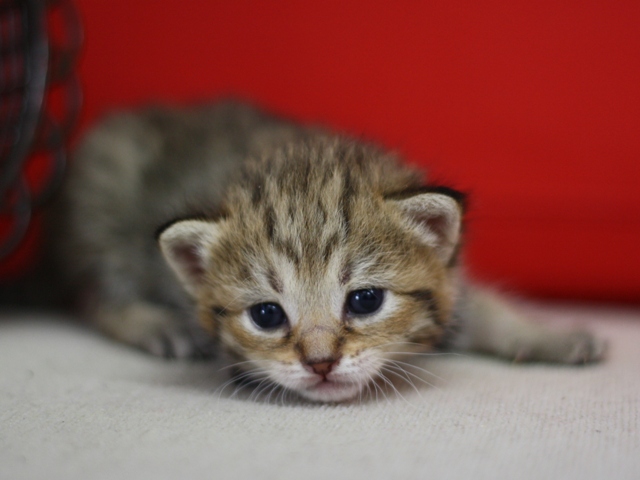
x=154, y=328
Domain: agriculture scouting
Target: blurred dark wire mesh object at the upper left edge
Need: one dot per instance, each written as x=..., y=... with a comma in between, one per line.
x=40, y=99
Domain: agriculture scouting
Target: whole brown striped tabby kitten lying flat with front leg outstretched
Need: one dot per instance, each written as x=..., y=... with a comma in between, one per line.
x=310, y=257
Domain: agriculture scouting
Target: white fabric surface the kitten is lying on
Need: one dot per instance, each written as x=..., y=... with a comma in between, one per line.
x=76, y=406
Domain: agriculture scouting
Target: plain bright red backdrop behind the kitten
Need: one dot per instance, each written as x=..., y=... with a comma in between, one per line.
x=532, y=107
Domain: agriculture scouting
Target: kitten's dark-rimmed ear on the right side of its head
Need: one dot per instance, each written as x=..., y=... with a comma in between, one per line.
x=435, y=213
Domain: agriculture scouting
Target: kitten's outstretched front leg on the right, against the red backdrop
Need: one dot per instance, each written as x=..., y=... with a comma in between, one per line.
x=490, y=325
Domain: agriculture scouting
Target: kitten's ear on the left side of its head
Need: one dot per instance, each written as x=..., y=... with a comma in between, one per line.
x=186, y=245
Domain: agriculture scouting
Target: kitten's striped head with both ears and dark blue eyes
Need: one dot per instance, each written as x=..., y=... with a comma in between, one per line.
x=328, y=259
